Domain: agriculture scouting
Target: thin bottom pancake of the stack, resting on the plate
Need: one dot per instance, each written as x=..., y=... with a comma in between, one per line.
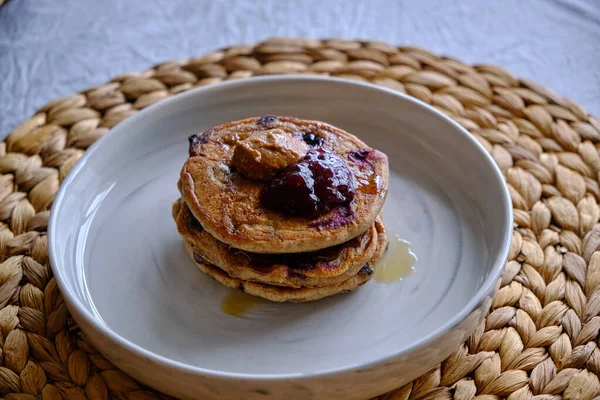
x=295, y=295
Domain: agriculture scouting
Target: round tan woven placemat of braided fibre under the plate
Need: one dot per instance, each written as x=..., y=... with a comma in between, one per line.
x=540, y=339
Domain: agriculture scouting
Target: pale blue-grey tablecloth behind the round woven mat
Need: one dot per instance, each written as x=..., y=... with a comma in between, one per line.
x=51, y=48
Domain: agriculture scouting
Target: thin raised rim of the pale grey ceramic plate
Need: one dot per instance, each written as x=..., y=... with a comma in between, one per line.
x=99, y=327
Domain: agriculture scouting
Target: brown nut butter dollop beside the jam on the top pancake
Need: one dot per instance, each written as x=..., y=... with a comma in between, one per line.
x=263, y=154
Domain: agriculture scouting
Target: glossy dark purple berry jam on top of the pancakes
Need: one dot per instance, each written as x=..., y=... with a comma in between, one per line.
x=320, y=182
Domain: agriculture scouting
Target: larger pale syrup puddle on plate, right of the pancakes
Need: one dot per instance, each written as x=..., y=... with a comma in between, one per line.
x=397, y=263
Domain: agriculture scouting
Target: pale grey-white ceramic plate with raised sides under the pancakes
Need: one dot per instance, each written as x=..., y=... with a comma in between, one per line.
x=130, y=284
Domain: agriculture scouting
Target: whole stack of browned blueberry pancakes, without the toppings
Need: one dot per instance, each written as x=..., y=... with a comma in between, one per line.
x=235, y=239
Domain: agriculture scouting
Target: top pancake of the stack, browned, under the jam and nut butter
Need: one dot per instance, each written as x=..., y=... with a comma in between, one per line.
x=227, y=204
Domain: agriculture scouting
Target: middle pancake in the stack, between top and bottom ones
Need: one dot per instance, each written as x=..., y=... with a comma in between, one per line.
x=315, y=269
